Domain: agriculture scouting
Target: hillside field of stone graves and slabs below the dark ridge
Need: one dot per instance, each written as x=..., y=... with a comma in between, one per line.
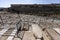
x=28, y=27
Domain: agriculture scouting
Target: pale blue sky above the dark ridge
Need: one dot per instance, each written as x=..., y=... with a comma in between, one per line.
x=7, y=3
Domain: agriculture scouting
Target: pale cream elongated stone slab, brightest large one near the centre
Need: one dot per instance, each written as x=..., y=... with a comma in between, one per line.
x=37, y=31
